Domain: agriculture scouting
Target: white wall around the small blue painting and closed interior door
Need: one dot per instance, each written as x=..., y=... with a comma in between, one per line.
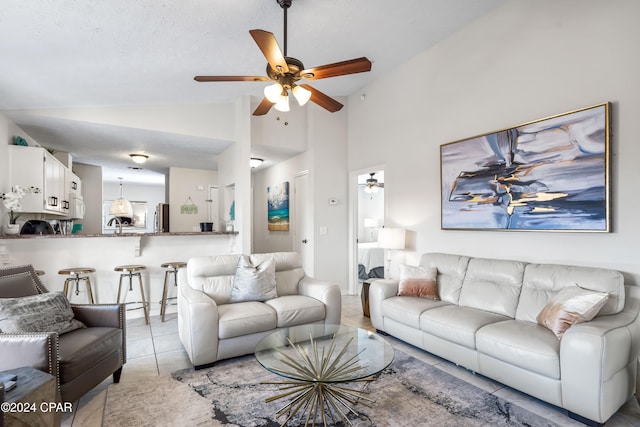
x=326, y=161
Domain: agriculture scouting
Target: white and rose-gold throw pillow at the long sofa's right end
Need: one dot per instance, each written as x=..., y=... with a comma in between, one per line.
x=570, y=306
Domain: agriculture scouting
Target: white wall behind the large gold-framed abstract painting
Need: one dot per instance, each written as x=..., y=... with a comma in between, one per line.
x=524, y=61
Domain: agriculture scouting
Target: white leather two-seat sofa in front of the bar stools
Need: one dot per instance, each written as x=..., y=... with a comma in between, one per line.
x=211, y=328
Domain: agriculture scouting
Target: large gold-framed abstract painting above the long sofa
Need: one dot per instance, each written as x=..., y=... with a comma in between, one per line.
x=550, y=174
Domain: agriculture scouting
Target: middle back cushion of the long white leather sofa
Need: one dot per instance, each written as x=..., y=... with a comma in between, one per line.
x=492, y=285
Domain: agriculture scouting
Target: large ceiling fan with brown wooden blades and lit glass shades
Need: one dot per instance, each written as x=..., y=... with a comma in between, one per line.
x=286, y=72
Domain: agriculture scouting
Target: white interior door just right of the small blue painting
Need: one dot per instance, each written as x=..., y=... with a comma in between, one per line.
x=303, y=226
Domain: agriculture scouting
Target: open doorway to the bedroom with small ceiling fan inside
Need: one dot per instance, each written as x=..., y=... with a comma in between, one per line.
x=367, y=208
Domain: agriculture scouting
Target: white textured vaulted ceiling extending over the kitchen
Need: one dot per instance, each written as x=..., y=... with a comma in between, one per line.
x=61, y=58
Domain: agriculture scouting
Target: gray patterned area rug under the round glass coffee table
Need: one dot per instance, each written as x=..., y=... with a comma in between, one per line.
x=408, y=393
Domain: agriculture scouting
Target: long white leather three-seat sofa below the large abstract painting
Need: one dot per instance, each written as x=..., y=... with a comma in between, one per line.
x=486, y=321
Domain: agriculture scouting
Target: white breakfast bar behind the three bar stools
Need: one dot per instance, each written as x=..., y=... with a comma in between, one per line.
x=103, y=252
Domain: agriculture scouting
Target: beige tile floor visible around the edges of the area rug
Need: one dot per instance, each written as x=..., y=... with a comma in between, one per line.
x=155, y=349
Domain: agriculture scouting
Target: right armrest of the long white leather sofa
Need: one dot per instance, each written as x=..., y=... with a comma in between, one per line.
x=597, y=356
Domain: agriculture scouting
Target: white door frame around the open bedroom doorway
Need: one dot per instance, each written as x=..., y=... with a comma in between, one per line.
x=353, y=223
